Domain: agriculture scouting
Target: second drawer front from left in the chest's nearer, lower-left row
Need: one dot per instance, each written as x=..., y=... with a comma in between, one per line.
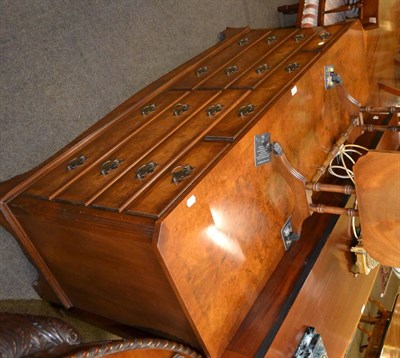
x=166, y=129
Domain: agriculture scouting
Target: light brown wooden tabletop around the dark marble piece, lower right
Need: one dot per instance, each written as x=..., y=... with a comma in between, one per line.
x=331, y=300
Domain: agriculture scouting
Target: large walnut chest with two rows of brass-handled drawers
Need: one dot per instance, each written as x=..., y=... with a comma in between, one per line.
x=167, y=215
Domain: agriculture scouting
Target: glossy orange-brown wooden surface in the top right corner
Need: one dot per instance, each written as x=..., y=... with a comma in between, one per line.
x=383, y=45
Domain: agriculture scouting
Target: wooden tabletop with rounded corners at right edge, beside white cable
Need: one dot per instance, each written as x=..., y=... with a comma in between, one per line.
x=377, y=177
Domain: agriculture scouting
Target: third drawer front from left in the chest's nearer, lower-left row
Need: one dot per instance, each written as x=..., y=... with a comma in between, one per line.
x=121, y=193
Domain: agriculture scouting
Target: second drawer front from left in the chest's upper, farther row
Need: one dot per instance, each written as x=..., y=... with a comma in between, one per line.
x=240, y=65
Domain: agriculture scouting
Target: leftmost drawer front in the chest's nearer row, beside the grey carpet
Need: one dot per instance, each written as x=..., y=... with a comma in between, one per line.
x=81, y=159
